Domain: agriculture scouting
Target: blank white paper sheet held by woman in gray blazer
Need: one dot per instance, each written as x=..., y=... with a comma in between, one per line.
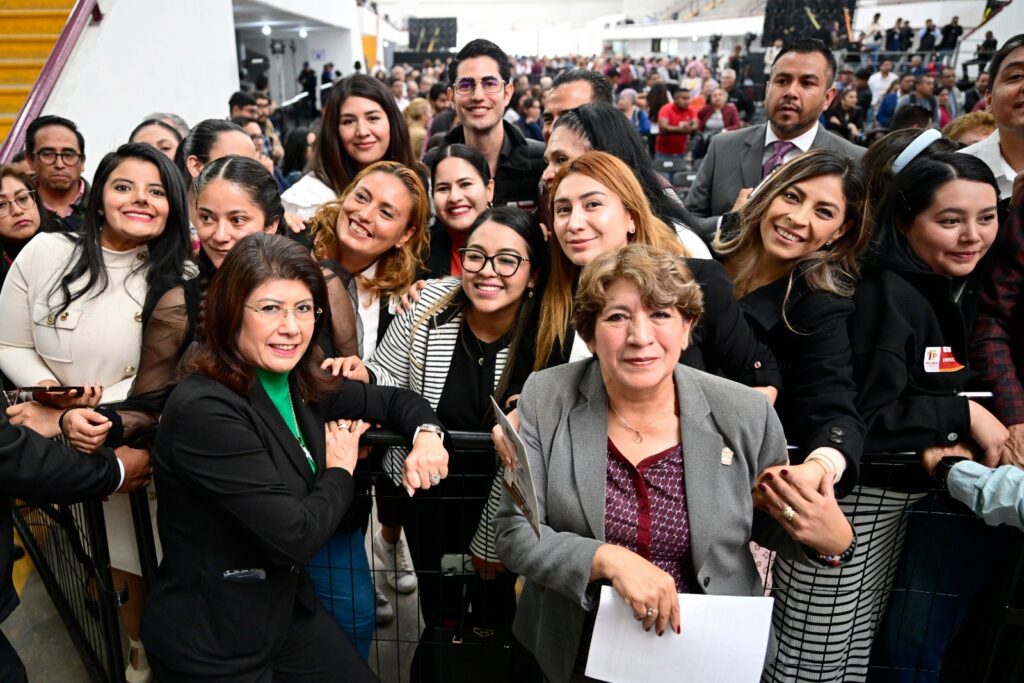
x=724, y=639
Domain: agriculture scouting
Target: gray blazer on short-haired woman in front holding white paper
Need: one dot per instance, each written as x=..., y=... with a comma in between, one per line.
x=564, y=413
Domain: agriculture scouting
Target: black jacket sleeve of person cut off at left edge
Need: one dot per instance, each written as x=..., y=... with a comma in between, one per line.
x=40, y=469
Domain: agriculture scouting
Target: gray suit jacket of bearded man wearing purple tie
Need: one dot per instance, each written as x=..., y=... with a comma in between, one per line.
x=734, y=162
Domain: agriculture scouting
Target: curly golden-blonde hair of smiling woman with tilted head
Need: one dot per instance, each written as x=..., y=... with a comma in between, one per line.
x=397, y=268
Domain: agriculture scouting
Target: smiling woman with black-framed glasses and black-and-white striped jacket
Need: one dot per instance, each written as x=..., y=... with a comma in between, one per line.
x=464, y=340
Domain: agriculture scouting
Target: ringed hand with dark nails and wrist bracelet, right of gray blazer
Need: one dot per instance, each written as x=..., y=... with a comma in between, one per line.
x=808, y=514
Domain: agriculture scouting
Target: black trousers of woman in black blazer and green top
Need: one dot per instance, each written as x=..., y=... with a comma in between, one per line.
x=316, y=652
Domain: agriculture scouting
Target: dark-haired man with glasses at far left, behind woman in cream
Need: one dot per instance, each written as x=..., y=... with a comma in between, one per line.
x=56, y=149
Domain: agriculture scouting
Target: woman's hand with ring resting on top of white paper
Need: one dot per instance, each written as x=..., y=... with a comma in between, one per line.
x=649, y=590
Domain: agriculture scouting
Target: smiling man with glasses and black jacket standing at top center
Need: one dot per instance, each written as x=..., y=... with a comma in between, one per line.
x=481, y=90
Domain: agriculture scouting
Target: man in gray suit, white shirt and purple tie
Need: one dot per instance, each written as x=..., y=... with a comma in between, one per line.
x=800, y=89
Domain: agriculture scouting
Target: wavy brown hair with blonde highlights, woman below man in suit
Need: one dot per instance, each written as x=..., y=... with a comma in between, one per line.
x=833, y=270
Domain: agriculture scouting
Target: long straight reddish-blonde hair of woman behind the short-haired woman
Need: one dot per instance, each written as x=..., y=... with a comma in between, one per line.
x=557, y=307
